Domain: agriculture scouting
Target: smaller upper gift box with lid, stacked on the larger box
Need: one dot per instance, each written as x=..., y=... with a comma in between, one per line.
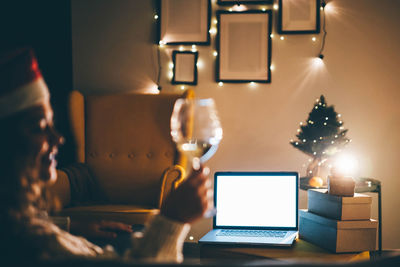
x=357, y=207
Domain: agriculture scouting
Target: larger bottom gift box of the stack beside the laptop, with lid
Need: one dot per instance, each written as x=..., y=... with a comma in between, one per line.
x=338, y=236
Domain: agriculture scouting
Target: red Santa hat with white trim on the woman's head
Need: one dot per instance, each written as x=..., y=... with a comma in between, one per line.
x=21, y=82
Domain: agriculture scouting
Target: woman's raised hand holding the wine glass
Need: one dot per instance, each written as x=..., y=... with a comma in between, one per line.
x=190, y=201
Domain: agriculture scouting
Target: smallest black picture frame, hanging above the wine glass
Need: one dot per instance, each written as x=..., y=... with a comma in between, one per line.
x=185, y=67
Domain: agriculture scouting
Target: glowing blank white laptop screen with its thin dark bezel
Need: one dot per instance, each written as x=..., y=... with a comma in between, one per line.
x=265, y=200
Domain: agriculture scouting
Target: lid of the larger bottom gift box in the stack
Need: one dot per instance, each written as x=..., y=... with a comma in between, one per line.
x=361, y=224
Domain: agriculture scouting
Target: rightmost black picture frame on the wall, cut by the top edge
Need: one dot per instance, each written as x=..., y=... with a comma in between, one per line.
x=299, y=16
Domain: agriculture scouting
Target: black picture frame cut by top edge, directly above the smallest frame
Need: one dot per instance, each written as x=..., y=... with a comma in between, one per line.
x=184, y=22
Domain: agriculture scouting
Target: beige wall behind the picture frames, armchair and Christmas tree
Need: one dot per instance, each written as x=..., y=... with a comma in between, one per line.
x=113, y=51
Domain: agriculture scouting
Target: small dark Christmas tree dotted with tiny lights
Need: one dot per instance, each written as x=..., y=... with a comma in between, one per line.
x=322, y=136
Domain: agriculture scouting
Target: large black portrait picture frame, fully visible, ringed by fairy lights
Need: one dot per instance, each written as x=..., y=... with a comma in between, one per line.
x=244, y=46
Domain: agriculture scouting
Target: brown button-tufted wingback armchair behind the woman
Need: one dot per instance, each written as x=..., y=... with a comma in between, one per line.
x=124, y=141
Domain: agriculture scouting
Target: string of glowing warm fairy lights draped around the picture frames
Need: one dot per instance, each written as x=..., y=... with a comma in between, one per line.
x=238, y=6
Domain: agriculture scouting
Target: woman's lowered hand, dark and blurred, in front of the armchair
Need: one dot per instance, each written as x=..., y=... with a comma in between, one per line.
x=102, y=229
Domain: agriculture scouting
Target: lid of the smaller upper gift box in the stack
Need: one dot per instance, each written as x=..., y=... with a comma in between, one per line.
x=322, y=194
